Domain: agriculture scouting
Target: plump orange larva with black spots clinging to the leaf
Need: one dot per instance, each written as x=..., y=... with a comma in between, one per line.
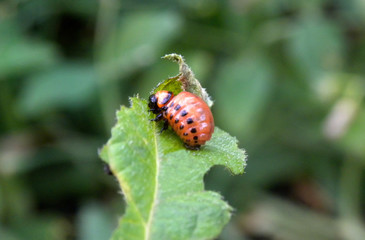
x=187, y=114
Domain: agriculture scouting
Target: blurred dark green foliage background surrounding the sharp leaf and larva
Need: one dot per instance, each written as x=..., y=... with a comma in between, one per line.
x=287, y=78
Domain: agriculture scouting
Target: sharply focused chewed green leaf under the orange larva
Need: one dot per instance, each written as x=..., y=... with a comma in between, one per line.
x=162, y=181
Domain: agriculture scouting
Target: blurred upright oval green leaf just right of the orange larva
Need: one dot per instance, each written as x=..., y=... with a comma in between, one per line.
x=248, y=80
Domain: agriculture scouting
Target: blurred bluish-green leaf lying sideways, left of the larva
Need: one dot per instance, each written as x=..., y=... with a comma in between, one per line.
x=69, y=86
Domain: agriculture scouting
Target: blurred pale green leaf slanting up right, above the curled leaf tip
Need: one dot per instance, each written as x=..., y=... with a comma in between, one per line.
x=124, y=50
